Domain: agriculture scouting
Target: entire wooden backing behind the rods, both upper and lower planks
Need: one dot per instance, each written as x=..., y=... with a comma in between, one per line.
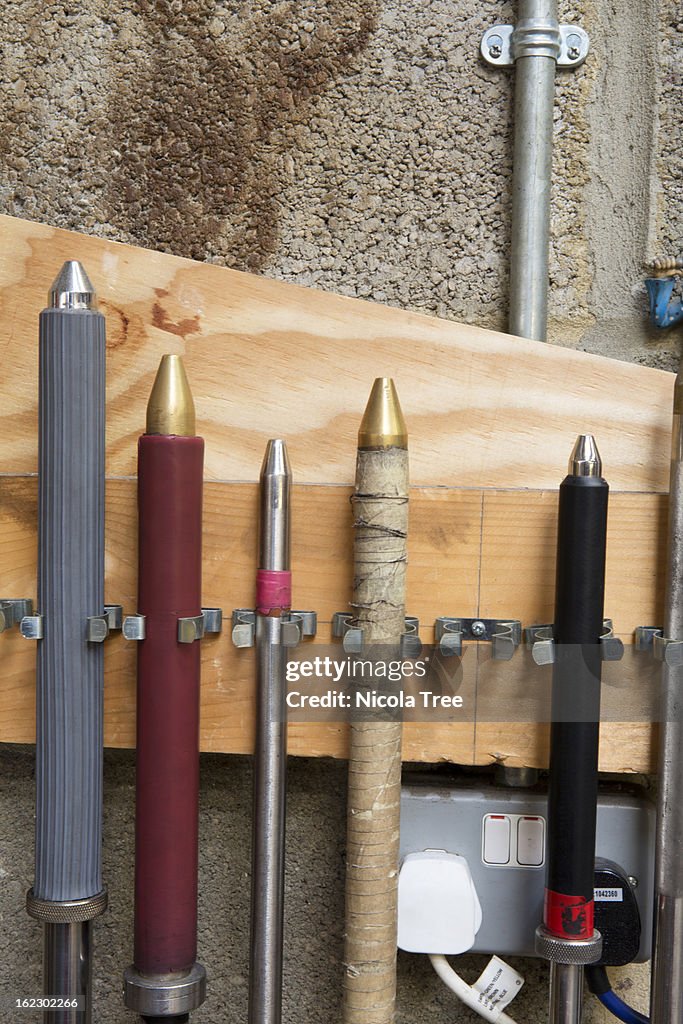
x=492, y=422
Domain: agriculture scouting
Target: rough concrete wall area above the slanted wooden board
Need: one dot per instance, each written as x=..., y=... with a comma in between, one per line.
x=360, y=146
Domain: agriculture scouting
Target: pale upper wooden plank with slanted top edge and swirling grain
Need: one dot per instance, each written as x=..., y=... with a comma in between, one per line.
x=267, y=359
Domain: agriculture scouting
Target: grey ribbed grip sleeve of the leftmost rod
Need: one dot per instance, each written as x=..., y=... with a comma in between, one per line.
x=71, y=587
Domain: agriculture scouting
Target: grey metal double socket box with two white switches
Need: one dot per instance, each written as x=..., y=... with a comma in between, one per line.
x=501, y=833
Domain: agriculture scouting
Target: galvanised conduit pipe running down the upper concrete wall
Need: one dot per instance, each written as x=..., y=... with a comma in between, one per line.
x=536, y=45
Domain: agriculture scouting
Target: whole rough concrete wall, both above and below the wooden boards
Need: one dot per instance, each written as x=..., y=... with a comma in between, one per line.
x=357, y=146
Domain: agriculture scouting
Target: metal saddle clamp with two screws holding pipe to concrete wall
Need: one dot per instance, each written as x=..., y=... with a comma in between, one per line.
x=504, y=45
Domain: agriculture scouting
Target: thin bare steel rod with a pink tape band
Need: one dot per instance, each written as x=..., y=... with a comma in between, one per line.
x=273, y=606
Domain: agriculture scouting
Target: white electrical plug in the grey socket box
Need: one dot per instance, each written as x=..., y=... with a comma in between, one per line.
x=439, y=908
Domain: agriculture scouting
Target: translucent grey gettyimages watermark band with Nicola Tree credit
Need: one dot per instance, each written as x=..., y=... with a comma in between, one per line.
x=325, y=685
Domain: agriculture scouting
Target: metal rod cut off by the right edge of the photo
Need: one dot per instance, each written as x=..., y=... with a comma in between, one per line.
x=667, y=994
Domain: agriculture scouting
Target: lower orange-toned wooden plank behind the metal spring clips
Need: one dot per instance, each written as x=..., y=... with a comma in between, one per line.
x=472, y=552
